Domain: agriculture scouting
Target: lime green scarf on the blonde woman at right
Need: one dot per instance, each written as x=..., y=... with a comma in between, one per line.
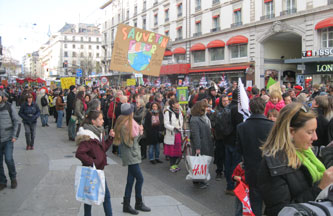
x=315, y=167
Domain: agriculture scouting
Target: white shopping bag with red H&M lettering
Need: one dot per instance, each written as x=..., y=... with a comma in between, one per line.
x=198, y=167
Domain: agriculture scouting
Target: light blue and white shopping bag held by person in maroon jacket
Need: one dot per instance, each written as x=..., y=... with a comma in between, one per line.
x=89, y=185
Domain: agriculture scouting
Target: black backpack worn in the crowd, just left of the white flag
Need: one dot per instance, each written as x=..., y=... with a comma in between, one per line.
x=223, y=124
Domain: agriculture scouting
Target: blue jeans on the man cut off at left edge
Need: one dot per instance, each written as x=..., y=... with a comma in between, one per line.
x=6, y=148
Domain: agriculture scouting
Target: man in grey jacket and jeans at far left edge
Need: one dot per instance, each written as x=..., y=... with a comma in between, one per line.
x=9, y=128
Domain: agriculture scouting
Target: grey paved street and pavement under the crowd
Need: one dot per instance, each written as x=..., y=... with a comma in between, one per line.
x=46, y=183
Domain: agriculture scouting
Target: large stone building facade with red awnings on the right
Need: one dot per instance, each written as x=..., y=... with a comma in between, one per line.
x=251, y=39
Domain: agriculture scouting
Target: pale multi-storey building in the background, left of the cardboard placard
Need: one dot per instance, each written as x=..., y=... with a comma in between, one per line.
x=73, y=47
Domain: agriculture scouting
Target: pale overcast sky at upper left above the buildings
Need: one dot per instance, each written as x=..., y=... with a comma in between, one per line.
x=24, y=24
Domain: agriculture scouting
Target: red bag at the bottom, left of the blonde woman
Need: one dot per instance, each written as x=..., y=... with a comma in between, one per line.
x=242, y=193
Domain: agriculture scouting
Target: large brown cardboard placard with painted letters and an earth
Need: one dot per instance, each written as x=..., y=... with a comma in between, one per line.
x=138, y=50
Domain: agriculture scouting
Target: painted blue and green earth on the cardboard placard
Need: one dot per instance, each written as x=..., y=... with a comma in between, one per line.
x=139, y=59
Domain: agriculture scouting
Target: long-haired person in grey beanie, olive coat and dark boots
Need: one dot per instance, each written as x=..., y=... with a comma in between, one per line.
x=127, y=133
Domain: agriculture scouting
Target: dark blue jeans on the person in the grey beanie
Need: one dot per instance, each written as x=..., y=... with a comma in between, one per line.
x=134, y=172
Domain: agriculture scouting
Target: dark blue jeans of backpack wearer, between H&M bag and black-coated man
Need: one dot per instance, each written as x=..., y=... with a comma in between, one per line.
x=232, y=159
